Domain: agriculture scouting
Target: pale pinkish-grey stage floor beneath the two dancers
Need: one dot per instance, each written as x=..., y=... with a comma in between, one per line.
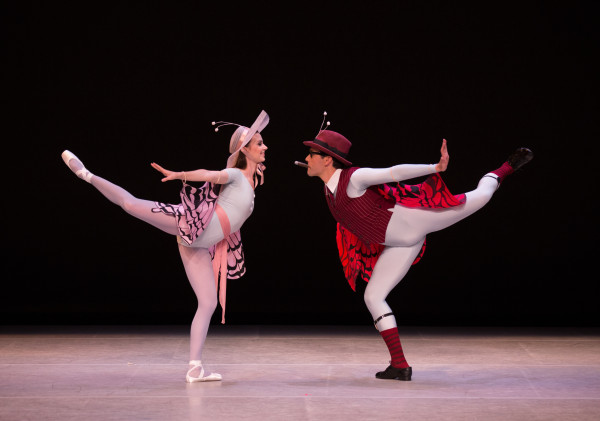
x=298, y=373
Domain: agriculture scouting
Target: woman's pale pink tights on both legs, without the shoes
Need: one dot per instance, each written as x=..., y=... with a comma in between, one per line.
x=196, y=260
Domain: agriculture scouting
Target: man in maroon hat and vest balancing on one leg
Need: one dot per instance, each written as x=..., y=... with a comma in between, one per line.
x=382, y=228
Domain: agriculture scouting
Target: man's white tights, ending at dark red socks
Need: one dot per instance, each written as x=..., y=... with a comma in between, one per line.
x=405, y=234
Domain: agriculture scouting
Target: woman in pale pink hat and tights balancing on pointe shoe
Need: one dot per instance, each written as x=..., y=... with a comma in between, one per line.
x=206, y=223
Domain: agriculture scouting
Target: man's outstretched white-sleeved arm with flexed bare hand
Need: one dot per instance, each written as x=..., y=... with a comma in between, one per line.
x=363, y=178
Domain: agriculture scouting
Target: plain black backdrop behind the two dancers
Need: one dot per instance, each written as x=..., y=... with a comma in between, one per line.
x=128, y=83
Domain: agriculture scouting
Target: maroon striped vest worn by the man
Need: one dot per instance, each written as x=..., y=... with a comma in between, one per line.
x=366, y=216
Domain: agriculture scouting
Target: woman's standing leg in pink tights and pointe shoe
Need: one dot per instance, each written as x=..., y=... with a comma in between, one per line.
x=198, y=267
